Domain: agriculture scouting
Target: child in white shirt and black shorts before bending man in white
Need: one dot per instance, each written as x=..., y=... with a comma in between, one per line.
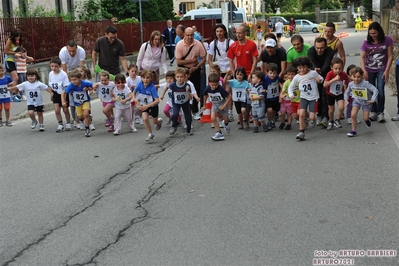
x=58, y=80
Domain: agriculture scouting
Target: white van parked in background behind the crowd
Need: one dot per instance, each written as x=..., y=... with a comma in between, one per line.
x=216, y=13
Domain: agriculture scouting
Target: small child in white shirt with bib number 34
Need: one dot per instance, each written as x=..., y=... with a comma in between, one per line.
x=104, y=89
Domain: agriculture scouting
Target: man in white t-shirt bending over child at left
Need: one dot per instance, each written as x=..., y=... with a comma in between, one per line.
x=72, y=56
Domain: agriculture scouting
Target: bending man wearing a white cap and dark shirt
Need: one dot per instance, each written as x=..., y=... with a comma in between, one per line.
x=273, y=54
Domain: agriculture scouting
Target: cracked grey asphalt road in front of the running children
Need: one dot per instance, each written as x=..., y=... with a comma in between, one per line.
x=253, y=199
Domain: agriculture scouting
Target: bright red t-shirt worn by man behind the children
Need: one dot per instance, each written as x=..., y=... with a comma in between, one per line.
x=244, y=54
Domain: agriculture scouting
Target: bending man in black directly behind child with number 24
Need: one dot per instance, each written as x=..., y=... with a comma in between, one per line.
x=321, y=55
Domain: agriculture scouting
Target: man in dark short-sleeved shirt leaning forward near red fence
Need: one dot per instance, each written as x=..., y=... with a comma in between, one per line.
x=111, y=51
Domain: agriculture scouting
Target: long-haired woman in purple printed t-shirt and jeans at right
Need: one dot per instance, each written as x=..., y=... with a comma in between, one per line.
x=375, y=59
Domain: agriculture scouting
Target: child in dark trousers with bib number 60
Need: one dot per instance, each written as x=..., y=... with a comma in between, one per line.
x=181, y=96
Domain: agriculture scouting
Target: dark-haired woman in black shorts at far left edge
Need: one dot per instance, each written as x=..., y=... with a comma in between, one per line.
x=13, y=42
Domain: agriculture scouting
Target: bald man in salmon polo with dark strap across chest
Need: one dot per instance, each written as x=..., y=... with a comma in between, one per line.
x=187, y=52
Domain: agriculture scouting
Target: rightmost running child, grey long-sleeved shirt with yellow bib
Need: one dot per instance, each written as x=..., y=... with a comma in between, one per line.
x=361, y=92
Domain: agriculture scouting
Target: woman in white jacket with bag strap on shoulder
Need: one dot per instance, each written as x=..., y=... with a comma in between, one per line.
x=152, y=55
